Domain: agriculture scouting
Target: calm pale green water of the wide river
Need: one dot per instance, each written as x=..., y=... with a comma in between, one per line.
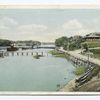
x=25, y=73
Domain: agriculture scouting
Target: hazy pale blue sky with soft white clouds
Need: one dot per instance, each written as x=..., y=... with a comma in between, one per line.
x=47, y=24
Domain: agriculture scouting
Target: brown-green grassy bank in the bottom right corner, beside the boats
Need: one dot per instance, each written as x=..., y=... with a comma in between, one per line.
x=93, y=84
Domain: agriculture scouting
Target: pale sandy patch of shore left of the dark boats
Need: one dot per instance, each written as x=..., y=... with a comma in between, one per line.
x=69, y=86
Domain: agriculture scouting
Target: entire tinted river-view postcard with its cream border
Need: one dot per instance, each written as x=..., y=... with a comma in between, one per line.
x=53, y=49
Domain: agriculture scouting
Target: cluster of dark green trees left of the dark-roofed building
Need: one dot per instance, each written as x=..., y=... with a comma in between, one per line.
x=70, y=43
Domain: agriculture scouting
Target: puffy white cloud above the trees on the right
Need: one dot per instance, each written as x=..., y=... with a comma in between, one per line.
x=75, y=27
